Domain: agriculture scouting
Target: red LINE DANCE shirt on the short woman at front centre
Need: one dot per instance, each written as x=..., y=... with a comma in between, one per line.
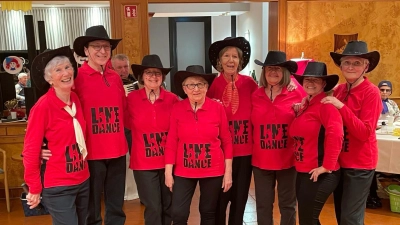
x=198, y=143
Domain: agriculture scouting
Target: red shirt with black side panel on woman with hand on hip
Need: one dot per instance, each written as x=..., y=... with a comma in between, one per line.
x=318, y=136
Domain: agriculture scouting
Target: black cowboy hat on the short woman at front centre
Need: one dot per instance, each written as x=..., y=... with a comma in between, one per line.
x=191, y=71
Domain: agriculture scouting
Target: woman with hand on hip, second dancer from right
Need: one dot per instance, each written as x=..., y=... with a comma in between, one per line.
x=317, y=148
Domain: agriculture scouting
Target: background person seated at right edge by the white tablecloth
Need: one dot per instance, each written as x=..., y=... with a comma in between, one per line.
x=390, y=107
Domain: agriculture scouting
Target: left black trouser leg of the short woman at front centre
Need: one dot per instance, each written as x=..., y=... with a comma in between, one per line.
x=182, y=194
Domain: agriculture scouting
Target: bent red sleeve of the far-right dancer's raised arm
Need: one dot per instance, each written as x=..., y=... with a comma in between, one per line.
x=364, y=124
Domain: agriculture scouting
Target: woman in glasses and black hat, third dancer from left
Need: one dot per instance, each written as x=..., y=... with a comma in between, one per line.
x=149, y=135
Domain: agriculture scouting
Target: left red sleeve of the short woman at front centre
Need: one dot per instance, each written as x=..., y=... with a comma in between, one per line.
x=172, y=139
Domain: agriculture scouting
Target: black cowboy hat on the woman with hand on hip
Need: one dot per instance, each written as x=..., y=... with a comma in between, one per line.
x=318, y=70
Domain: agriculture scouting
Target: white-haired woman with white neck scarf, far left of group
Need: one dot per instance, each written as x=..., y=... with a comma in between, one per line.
x=57, y=117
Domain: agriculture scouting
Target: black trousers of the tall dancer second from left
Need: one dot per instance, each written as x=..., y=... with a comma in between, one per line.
x=108, y=176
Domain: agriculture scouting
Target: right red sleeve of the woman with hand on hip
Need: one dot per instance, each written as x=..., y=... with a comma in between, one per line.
x=333, y=124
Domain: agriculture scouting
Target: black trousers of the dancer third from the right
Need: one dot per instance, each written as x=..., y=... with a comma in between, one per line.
x=265, y=182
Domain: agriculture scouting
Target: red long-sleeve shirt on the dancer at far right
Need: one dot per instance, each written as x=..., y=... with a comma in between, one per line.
x=360, y=115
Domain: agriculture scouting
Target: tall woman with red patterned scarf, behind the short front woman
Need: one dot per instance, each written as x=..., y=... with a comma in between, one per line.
x=229, y=57
